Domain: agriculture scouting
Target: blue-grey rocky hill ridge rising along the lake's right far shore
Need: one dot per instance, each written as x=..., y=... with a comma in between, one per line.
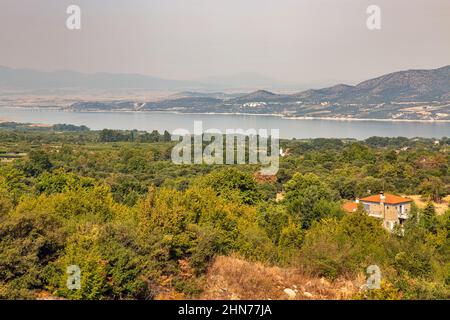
x=403, y=95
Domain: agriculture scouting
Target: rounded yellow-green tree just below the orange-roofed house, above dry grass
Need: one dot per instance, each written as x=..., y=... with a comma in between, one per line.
x=334, y=247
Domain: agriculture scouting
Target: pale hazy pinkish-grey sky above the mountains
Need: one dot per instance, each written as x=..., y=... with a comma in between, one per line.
x=299, y=41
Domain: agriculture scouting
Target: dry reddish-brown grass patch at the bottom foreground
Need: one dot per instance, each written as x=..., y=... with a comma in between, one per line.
x=234, y=278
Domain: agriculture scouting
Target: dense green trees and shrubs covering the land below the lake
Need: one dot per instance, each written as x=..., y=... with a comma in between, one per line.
x=112, y=203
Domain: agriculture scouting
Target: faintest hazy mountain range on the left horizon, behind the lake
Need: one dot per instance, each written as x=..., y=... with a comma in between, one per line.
x=33, y=80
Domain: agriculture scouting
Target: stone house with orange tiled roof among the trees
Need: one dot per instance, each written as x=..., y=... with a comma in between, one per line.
x=389, y=208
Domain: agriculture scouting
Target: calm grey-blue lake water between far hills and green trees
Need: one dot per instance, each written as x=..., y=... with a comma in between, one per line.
x=289, y=128
